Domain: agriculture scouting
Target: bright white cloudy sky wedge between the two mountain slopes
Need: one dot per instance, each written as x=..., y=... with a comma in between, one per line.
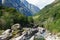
x=40, y=3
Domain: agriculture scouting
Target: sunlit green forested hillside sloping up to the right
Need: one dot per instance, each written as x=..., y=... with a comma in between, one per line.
x=49, y=17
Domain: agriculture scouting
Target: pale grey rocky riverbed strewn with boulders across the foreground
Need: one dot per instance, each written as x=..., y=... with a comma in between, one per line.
x=15, y=33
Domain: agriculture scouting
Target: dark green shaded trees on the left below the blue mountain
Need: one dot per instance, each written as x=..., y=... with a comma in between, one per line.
x=10, y=16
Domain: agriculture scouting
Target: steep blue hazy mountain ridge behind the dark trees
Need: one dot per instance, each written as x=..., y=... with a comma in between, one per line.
x=22, y=6
